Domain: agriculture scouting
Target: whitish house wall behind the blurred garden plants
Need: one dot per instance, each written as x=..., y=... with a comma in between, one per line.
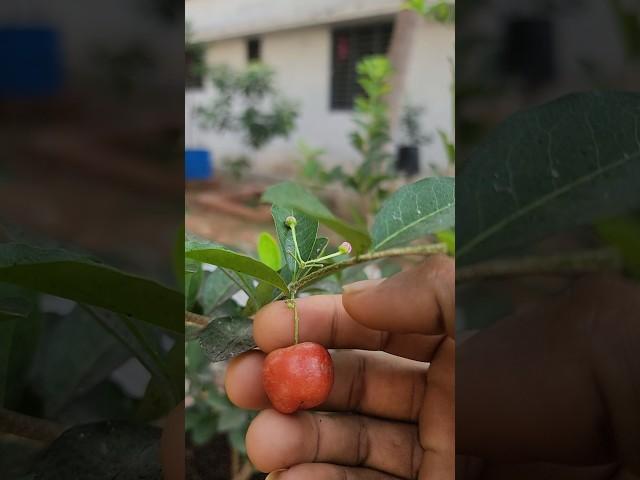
x=302, y=60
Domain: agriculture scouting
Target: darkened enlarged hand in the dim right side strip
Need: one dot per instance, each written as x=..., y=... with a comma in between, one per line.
x=554, y=390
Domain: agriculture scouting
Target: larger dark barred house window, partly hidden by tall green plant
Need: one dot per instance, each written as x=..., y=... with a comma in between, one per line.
x=350, y=45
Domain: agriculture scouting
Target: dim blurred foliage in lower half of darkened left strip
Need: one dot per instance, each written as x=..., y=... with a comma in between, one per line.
x=58, y=355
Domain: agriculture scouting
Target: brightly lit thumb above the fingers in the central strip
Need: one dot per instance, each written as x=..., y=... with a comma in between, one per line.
x=419, y=300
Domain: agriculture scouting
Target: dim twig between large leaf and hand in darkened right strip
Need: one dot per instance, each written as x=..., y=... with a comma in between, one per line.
x=585, y=261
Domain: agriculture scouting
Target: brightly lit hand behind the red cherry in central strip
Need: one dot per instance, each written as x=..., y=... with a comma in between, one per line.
x=392, y=413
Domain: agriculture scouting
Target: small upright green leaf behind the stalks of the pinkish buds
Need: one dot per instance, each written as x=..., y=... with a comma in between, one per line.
x=306, y=234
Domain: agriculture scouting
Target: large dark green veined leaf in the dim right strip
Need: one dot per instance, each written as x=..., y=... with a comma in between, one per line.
x=554, y=167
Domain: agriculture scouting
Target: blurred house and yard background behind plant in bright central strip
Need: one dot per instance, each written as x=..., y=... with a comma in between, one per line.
x=351, y=99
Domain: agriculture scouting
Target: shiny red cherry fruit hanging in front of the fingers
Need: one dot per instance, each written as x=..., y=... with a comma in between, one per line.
x=298, y=377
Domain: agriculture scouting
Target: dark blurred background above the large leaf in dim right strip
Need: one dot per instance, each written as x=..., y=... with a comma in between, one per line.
x=516, y=54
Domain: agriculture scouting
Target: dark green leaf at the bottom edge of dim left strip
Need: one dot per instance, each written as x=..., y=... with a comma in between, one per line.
x=103, y=450
